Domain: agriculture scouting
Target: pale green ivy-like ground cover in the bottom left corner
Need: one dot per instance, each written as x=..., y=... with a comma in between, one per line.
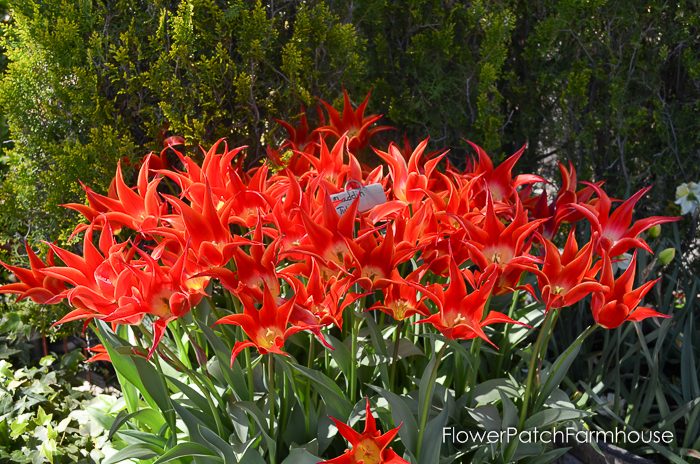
x=46, y=417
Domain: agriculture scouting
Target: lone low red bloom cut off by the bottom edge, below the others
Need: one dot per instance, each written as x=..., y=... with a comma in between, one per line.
x=368, y=447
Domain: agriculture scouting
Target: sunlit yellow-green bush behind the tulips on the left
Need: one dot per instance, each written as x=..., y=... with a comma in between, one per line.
x=90, y=83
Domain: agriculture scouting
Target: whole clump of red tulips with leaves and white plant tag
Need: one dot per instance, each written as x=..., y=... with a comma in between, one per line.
x=323, y=282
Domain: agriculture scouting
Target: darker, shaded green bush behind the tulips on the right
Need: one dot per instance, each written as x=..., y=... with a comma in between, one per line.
x=612, y=86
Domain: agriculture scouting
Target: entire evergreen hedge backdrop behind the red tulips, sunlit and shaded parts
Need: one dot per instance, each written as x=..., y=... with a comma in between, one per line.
x=613, y=86
